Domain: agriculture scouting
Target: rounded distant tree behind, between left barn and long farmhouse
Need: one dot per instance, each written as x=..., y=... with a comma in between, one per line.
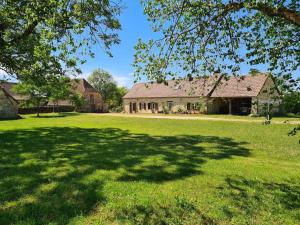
x=103, y=81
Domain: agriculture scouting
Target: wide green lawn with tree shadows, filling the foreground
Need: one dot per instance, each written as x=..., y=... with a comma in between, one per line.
x=94, y=169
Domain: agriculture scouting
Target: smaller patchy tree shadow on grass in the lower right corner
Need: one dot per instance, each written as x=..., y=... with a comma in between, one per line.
x=257, y=198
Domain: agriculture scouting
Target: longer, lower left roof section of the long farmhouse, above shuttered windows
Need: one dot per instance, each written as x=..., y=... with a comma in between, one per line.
x=174, y=88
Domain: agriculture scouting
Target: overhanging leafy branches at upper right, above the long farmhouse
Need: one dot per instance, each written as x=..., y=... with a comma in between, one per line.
x=200, y=37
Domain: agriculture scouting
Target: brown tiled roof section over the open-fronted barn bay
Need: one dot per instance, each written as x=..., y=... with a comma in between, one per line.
x=246, y=86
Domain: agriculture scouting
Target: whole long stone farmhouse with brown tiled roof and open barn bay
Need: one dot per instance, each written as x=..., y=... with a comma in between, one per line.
x=215, y=94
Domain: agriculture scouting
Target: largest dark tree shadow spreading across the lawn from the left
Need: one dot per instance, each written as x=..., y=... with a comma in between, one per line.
x=48, y=174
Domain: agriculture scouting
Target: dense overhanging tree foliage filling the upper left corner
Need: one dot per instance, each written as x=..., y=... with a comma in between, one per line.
x=44, y=37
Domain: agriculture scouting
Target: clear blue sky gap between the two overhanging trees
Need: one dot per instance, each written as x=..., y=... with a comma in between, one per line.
x=134, y=26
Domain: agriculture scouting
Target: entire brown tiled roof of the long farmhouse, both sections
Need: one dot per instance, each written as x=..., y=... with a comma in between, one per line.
x=214, y=86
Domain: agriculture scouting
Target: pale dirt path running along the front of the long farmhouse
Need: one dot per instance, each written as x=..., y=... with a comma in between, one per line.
x=195, y=118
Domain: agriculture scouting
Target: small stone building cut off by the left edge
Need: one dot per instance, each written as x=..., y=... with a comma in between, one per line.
x=8, y=105
